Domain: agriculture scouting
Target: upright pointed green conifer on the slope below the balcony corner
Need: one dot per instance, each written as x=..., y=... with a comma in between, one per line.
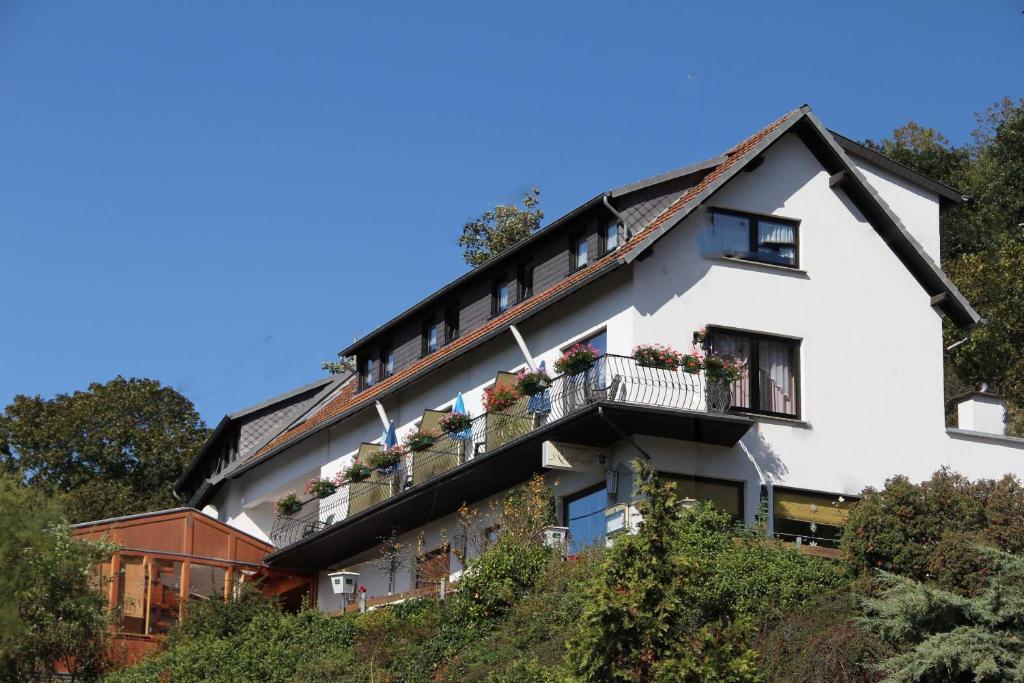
x=639, y=625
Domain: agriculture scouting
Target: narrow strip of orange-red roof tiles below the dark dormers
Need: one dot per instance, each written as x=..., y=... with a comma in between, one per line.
x=349, y=400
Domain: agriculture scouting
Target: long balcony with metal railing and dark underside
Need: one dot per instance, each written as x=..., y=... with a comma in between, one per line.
x=617, y=398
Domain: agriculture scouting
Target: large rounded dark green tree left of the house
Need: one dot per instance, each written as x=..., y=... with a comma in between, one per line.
x=113, y=450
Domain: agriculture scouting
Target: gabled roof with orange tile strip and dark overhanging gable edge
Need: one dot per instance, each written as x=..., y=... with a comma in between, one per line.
x=726, y=167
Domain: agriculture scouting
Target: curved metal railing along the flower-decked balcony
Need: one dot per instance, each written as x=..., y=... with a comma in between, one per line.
x=612, y=378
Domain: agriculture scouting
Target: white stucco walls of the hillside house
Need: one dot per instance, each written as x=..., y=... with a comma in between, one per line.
x=872, y=390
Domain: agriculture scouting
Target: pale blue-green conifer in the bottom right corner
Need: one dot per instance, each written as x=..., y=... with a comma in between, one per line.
x=943, y=636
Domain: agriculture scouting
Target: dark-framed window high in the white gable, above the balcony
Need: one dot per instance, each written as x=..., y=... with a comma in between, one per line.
x=764, y=239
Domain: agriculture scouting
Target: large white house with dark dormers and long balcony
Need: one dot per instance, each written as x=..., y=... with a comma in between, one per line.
x=808, y=258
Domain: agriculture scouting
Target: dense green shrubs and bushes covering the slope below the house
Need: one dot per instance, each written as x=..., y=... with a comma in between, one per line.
x=688, y=599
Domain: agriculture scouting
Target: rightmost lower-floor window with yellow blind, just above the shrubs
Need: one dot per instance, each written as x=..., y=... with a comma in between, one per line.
x=810, y=517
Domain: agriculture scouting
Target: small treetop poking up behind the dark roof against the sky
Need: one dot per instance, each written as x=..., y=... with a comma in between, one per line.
x=498, y=230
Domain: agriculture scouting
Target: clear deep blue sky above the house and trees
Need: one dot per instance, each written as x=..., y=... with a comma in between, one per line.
x=223, y=195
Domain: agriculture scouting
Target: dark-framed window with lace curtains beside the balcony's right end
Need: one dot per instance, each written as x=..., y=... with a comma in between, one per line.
x=771, y=381
